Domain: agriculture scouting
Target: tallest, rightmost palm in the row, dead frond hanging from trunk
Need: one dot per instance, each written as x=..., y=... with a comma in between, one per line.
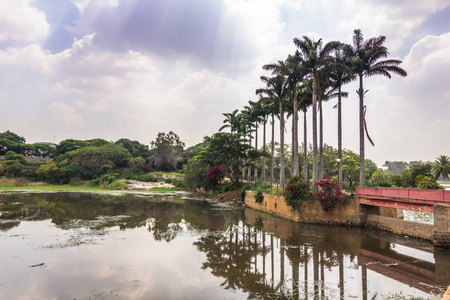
x=366, y=57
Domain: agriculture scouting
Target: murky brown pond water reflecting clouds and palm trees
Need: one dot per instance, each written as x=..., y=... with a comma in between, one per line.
x=87, y=246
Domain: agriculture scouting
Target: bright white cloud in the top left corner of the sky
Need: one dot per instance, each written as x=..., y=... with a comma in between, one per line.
x=20, y=21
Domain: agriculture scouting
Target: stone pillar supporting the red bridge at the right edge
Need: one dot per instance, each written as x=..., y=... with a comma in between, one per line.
x=441, y=232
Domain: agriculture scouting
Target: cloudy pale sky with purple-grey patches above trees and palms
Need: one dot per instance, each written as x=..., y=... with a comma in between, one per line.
x=114, y=69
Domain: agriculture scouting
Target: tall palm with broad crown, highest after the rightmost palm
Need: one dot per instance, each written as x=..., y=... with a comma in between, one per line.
x=316, y=59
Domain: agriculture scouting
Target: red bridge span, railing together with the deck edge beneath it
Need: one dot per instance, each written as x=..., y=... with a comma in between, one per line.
x=409, y=199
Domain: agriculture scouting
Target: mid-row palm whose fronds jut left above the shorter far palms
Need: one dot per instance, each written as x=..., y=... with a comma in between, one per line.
x=276, y=91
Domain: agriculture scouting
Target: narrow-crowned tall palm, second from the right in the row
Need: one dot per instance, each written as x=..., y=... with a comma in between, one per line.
x=342, y=74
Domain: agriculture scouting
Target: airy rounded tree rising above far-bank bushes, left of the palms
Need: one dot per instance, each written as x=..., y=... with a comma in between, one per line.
x=167, y=150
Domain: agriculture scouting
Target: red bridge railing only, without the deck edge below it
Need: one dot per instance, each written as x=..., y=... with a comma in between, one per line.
x=429, y=197
